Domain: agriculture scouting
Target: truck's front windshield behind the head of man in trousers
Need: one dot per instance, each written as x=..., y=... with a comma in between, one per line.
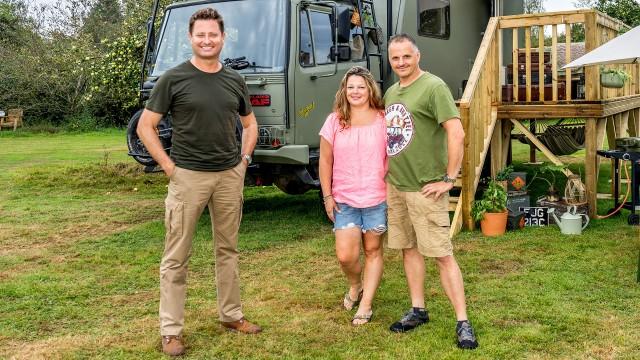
x=254, y=29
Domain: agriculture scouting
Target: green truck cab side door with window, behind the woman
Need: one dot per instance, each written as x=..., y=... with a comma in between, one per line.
x=316, y=76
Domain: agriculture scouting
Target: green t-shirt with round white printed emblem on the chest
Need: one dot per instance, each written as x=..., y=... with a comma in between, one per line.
x=416, y=141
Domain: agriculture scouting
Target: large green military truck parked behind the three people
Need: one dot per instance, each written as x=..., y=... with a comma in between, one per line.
x=293, y=54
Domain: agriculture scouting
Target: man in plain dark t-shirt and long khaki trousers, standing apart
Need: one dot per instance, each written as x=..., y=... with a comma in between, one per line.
x=206, y=168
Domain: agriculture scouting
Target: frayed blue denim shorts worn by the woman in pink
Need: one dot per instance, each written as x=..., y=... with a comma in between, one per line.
x=370, y=218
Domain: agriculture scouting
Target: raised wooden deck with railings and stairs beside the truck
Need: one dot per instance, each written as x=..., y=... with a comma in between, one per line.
x=488, y=120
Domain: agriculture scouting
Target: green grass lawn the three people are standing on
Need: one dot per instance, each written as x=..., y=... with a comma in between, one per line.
x=81, y=235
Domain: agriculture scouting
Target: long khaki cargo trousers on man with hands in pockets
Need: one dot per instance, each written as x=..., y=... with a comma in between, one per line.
x=189, y=192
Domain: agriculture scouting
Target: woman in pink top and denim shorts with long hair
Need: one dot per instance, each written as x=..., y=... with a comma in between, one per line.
x=352, y=169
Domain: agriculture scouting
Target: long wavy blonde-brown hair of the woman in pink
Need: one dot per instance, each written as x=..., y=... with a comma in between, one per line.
x=341, y=105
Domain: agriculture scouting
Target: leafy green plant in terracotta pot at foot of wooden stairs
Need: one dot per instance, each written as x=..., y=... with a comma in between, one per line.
x=491, y=209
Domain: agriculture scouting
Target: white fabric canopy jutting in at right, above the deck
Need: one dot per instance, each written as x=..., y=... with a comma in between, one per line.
x=624, y=49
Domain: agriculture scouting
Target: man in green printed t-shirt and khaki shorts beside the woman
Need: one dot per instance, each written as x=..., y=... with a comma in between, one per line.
x=425, y=140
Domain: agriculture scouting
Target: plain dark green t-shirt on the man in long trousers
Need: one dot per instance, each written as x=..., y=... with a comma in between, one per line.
x=203, y=108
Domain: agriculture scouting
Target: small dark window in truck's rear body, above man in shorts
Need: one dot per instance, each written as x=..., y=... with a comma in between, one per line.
x=434, y=18
